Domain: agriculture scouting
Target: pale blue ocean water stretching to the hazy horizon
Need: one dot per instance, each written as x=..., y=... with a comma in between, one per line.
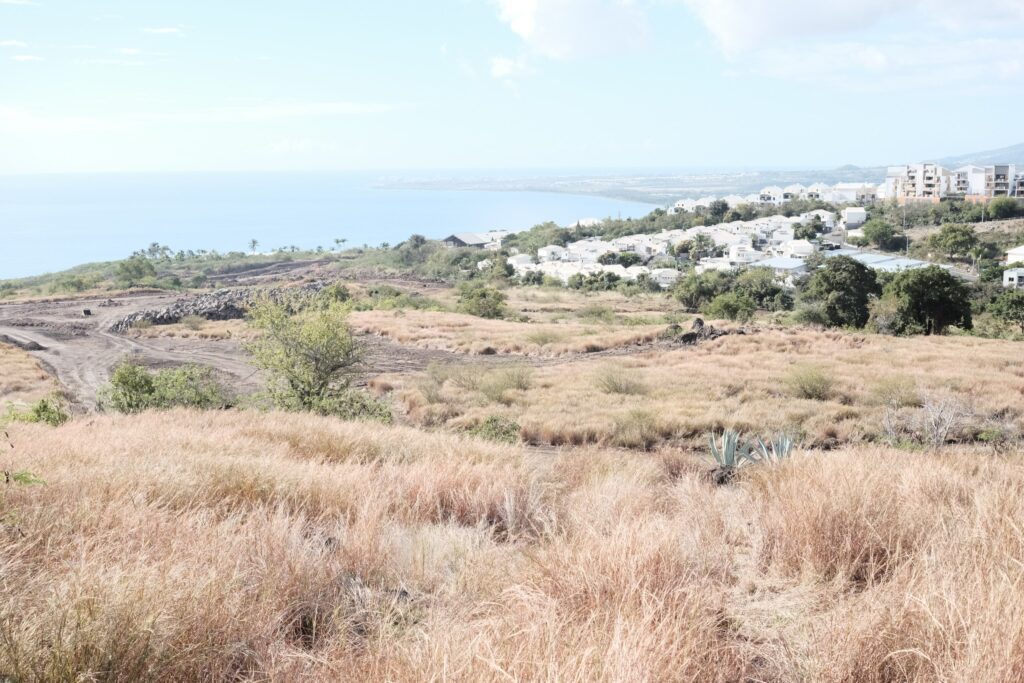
x=52, y=223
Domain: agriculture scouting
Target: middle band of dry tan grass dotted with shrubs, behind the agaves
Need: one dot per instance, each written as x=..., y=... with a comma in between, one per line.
x=753, y=383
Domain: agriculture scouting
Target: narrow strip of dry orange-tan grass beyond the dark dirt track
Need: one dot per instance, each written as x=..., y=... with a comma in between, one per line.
x=456, y=332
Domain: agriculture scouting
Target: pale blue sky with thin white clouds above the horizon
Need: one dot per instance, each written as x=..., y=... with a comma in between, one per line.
x=196, y=86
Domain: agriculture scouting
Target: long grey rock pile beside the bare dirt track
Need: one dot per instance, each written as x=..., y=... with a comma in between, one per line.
x=227, y=305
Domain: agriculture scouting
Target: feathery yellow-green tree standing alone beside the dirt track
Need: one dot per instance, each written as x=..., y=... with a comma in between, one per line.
x=309, y=357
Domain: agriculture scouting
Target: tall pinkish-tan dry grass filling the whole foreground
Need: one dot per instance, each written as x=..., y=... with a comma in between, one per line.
x=243, y=546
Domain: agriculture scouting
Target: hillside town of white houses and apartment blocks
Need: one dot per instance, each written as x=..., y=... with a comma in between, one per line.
x=782, y=243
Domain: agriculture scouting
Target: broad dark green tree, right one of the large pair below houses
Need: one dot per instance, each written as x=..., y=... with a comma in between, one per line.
x=929, y=301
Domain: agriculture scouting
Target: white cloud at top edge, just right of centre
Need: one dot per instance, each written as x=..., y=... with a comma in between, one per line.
x=570, y=29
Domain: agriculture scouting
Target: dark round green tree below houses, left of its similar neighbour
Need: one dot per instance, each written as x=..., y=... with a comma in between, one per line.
x=844, y=289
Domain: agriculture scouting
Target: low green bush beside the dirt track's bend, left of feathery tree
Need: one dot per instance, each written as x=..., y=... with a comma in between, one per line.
x=134, y=389
